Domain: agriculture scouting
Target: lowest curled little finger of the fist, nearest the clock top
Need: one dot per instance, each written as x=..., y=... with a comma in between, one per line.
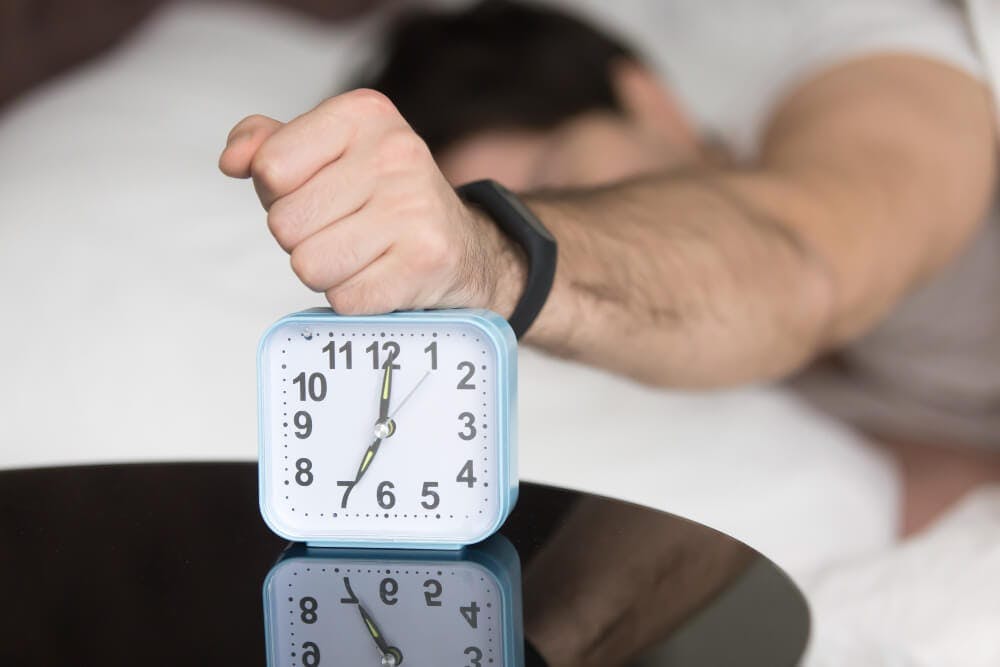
x=383, y=286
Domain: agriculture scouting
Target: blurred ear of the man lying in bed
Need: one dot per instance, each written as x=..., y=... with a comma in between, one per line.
x=646, y=99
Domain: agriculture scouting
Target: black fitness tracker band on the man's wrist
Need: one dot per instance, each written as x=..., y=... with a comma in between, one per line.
x=516, y=221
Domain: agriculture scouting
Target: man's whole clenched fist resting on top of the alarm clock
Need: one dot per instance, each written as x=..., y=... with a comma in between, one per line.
x=354, y=195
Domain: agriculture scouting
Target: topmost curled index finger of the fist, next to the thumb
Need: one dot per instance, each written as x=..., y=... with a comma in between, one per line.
x=304, y=145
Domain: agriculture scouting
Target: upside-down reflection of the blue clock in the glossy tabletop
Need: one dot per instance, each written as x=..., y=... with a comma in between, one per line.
x=391, y=608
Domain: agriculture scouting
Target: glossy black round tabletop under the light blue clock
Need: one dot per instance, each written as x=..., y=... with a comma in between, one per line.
x=164, y=564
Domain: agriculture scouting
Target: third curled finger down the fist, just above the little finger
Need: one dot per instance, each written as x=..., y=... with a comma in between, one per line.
x=340, y=251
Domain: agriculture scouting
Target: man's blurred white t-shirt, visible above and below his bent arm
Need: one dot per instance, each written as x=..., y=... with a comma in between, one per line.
x=931, y=371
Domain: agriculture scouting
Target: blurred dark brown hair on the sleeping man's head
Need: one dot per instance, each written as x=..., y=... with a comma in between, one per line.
x=499, y=65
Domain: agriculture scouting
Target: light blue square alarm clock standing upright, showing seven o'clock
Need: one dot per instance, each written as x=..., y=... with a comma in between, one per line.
x=393, y=430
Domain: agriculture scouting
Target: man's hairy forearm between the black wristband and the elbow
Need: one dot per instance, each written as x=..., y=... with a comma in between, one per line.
x=680, y=279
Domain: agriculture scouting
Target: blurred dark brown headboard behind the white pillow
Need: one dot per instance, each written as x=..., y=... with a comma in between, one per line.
x=40, y=38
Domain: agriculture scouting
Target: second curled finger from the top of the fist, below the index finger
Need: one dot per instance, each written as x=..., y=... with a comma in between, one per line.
x=337, y=191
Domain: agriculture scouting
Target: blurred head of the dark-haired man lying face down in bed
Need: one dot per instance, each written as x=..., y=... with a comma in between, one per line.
x=530, y=96
